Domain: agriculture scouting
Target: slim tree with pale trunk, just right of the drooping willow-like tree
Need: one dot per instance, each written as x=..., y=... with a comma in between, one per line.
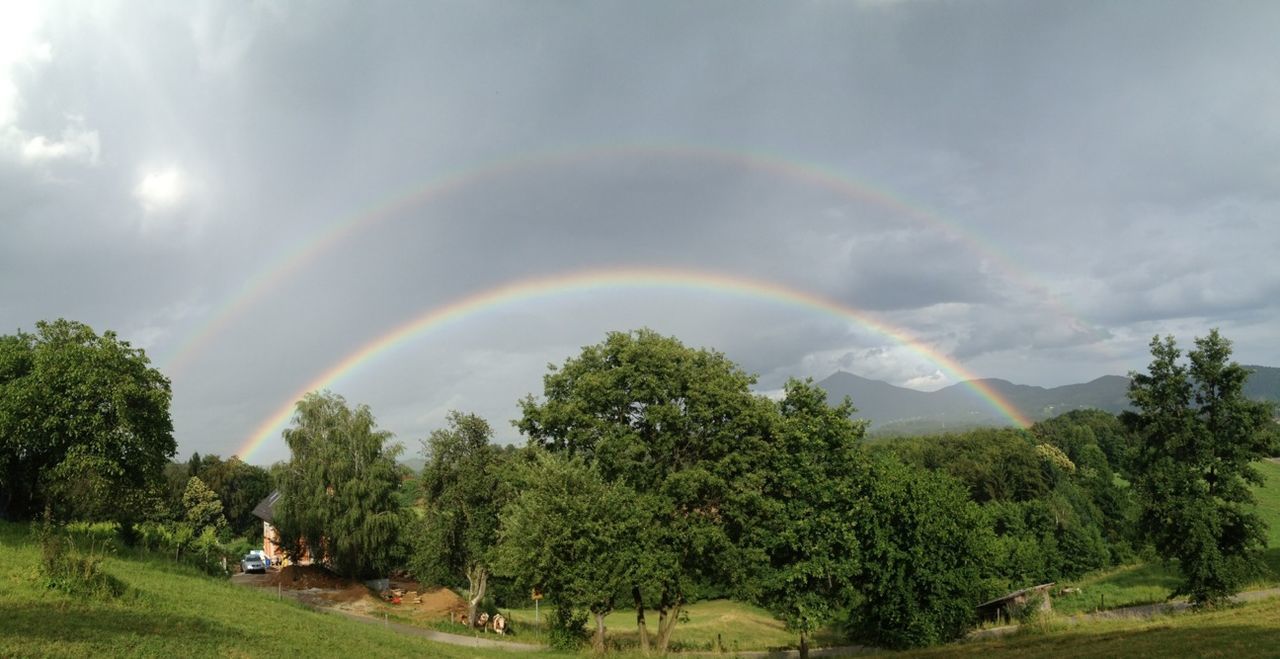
x=464, y=491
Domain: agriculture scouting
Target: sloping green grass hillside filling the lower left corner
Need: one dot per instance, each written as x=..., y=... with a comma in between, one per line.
x=172, y=611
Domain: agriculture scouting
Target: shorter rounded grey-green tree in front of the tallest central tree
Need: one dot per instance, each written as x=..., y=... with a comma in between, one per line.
x=570, y=536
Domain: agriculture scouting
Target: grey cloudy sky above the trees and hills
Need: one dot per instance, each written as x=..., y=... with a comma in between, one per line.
x=253, y=193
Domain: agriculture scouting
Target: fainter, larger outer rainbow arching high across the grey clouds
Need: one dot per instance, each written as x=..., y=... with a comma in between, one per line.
x=304, y=253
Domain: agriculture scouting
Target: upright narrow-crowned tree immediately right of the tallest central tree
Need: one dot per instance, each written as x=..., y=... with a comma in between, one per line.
x=804, y=528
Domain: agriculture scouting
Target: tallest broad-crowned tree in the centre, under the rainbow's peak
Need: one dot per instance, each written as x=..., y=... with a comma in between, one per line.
x=674, y=424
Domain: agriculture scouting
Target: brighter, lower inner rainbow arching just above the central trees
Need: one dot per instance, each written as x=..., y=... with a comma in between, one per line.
x=614, y=280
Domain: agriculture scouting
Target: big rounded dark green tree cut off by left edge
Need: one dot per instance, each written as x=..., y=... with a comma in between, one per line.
x=85, y=424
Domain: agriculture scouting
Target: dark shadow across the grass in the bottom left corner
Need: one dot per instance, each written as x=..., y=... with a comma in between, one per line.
x=54, y=625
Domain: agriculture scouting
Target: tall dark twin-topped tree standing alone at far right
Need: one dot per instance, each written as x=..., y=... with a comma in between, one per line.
x=1197, y=436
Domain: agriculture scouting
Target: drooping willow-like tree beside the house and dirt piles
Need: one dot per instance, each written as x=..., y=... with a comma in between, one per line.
x=339, y=493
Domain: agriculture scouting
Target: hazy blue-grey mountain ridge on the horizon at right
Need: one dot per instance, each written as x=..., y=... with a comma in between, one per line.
x=900, y=411
